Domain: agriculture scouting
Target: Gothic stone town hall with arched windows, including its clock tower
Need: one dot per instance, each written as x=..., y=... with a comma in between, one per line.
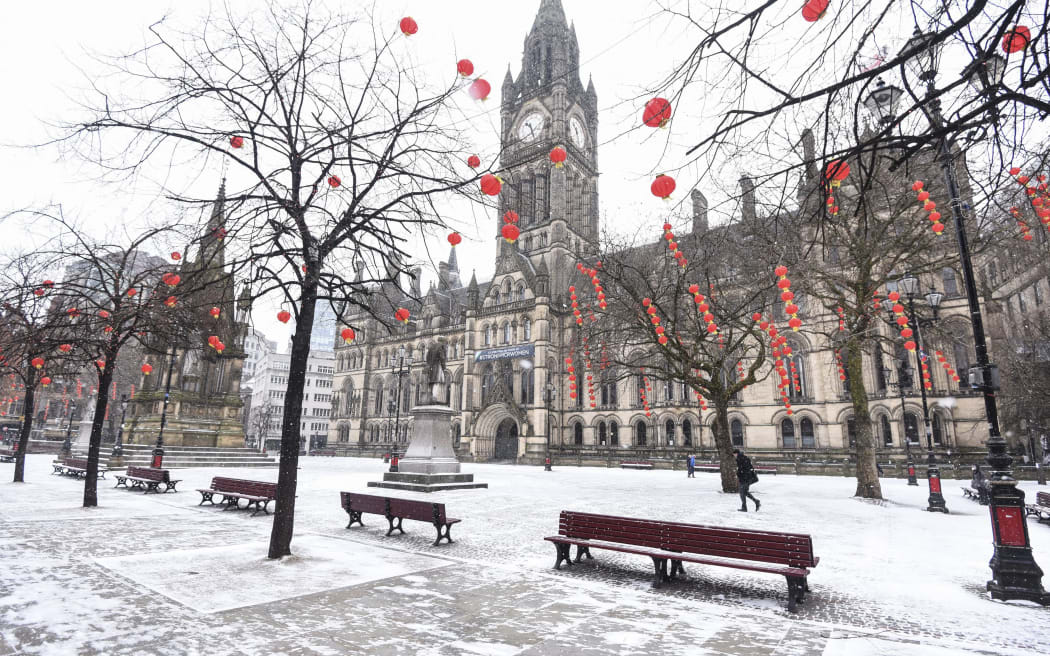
x=505, y=341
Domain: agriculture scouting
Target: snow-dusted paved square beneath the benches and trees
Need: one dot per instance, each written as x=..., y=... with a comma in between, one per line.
x=158, y=575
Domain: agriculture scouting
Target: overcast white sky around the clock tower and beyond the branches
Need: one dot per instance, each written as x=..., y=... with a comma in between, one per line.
x=626, y=46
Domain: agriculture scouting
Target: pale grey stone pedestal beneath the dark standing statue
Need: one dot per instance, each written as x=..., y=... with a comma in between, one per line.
x=430, y=464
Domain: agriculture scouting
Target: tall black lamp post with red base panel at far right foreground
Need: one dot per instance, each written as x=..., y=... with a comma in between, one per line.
x=1016, y=575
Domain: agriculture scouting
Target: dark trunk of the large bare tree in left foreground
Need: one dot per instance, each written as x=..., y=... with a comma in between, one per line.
x=284, y=515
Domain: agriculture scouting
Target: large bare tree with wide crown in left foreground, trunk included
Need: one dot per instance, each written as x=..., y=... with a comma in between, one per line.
x=341, y=150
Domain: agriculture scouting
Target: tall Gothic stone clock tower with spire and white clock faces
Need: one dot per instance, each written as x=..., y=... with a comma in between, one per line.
x=544, y=108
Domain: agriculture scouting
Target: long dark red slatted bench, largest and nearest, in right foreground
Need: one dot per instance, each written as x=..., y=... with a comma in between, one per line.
x=787, y=555
